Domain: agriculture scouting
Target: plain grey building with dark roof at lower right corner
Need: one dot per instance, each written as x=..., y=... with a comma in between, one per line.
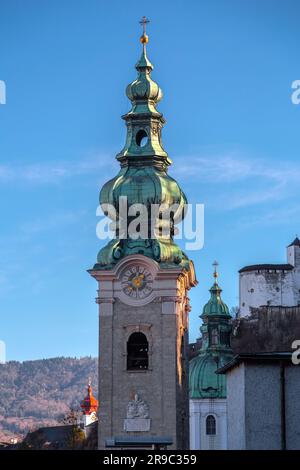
x=263, y=407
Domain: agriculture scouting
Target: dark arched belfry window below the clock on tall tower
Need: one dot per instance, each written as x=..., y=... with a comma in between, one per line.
x=137, y=352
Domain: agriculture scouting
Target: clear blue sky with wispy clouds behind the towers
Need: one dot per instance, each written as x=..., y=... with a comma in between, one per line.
x=226, y=69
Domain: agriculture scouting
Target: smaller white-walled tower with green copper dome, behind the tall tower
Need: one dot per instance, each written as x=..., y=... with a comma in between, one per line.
x=208, y=408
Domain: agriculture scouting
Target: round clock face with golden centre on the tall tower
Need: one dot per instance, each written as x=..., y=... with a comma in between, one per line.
x=137, y=282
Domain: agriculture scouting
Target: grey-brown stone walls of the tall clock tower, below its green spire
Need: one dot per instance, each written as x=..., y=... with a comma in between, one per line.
x=163, y=318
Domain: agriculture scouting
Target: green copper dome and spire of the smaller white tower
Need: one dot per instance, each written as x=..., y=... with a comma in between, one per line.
x=216, y=350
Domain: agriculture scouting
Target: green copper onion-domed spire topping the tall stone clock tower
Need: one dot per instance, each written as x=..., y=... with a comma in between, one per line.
x=143, y=179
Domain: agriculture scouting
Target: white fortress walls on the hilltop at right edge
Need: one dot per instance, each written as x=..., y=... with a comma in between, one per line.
x=271, y=284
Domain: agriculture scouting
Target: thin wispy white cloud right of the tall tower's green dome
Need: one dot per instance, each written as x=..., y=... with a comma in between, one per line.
x=245, y=181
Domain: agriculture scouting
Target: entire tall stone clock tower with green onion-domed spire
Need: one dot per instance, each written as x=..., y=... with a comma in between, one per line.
x=143, y=279
